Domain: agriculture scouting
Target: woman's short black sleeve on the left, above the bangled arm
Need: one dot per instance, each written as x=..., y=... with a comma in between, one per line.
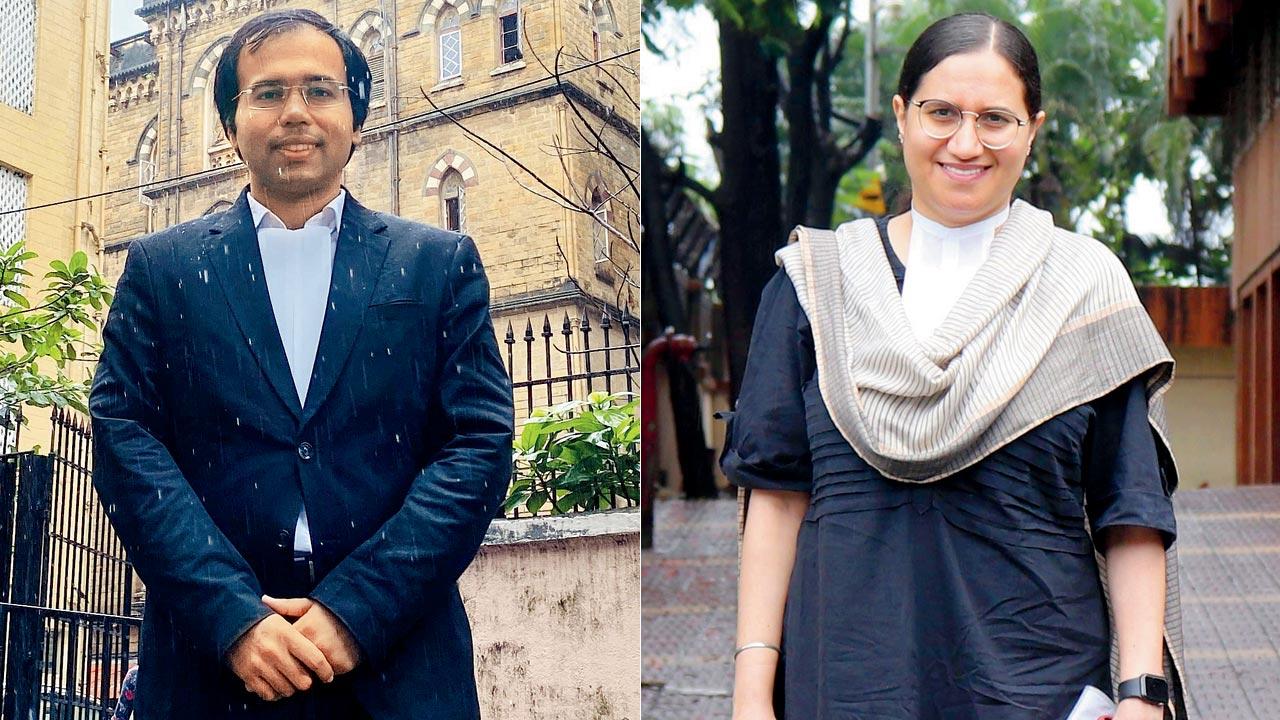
x=767, y=444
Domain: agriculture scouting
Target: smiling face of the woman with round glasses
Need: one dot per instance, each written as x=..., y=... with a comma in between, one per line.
x=958, y=181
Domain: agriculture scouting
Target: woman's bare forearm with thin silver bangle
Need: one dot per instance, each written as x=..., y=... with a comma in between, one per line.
x=769, y=554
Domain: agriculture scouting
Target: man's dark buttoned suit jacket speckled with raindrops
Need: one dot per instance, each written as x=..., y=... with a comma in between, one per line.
x=203, y=455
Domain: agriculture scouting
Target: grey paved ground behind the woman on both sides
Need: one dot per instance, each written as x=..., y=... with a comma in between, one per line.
x=1229, y=545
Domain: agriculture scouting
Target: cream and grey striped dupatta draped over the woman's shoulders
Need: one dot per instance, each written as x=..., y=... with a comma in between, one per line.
x=1049, y=322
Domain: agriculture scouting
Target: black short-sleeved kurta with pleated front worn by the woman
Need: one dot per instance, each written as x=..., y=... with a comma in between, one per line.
x=975, y=598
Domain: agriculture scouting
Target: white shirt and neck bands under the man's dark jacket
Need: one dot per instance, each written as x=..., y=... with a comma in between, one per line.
x=299, y=267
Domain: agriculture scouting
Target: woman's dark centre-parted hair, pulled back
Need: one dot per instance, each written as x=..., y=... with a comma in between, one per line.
x=970, y=33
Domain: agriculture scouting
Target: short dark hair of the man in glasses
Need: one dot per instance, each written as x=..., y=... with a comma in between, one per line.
x=262, y=29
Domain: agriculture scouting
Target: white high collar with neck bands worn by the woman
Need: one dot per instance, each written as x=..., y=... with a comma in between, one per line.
x=940, y=265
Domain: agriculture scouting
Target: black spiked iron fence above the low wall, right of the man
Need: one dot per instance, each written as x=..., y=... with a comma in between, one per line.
x=550, y=367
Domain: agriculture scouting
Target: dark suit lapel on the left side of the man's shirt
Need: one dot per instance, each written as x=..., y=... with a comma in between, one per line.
x=232, y=250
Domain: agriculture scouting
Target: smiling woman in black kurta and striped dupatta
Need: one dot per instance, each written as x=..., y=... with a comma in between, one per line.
x=938, y=467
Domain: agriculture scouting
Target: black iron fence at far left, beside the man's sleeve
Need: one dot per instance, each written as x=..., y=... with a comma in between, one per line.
x=66, y=601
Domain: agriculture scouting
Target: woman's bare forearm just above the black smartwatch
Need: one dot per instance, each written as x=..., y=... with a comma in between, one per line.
x=1136, y=580
